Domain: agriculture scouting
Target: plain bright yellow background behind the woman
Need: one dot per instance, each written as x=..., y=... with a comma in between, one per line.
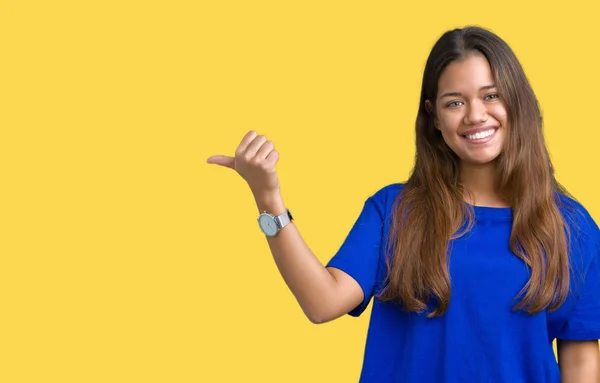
x=124, y=257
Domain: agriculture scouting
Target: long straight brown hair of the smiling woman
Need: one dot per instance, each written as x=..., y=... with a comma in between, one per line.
x=430, y=209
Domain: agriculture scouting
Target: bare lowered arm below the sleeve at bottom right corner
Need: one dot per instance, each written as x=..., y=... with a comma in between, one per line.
x=579, y=361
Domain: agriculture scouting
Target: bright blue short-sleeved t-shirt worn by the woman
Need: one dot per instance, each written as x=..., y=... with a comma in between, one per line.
x=480, y=338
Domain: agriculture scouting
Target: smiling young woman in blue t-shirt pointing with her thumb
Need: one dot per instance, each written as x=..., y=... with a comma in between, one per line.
x=478, y=261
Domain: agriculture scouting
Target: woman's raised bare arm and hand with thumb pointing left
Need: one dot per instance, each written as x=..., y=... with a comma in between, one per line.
x=323, y=293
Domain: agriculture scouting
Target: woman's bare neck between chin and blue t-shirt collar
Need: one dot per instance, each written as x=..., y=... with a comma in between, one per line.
x=479, y=181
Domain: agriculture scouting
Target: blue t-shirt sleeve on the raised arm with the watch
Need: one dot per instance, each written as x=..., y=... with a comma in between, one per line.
x=359, y=254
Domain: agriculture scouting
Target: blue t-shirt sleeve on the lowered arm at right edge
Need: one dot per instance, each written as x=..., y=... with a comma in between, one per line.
x=583, y=322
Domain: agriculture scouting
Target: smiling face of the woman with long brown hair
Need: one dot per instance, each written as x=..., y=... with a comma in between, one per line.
x=469, y=113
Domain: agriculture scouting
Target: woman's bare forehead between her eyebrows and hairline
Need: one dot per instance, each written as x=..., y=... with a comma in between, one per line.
x=466, y=75
